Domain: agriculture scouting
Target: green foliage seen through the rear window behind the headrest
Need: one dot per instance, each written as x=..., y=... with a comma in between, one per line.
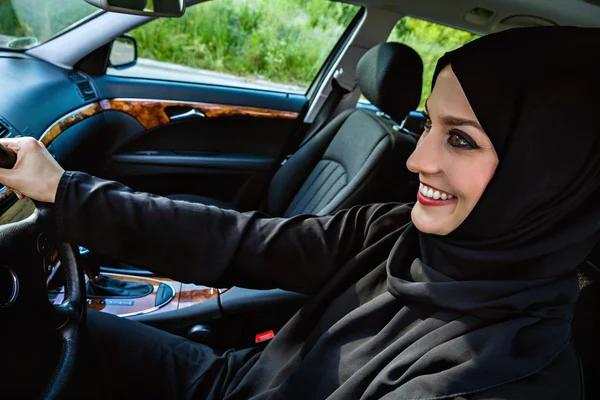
x=431, y=41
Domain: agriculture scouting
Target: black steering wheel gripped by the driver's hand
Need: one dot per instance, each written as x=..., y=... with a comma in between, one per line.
x=25, y=251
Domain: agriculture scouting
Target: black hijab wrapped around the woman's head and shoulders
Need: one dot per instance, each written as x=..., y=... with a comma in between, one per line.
x=504, y=281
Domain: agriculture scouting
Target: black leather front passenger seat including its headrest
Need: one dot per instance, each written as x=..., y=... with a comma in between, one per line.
x=359, y=157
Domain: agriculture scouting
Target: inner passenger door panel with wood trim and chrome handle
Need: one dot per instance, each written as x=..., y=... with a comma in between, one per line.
x=225, y=146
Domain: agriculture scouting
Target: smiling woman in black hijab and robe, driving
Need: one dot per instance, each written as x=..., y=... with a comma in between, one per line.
x=472, y=299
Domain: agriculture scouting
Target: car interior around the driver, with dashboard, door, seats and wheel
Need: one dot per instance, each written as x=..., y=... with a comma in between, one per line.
x=339, y=142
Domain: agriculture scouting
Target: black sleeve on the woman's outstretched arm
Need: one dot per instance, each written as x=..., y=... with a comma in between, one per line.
x=207, y=245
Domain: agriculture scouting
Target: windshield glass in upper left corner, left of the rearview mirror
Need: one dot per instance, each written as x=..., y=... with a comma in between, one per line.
x=27, y=23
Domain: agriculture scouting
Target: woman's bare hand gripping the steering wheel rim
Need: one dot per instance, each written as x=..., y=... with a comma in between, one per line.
x=36, y=173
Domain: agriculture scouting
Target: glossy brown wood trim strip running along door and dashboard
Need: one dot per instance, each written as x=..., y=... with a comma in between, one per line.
x=151, y=113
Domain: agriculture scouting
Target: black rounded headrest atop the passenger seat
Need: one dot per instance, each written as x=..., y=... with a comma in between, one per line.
x=390, y=76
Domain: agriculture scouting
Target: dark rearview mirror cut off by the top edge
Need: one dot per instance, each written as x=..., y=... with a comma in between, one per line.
x=149, y=8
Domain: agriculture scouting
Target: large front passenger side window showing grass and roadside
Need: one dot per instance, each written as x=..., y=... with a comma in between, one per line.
x=277, y=45
